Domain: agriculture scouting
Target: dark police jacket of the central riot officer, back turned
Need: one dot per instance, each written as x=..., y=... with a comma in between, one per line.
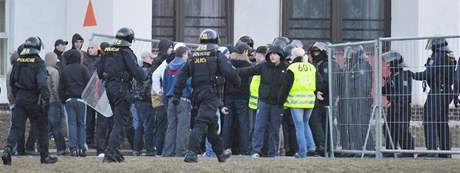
x=204, y=68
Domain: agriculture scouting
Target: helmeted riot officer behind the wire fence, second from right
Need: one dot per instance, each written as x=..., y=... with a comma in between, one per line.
x=398, y=90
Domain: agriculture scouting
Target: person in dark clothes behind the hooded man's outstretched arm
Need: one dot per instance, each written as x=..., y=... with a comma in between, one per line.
x=236, y=100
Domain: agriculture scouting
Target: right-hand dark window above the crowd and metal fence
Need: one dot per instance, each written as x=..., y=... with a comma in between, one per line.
x=335, y=20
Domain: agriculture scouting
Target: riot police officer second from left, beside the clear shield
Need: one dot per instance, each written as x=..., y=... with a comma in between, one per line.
x=117, y=69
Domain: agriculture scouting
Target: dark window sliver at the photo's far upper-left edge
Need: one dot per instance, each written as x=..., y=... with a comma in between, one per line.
x=4, y=59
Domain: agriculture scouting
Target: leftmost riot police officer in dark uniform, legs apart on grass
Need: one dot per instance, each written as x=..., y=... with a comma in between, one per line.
x=28, y=81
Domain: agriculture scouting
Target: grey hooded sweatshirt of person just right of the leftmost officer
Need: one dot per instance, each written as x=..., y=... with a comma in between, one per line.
x=53, y=76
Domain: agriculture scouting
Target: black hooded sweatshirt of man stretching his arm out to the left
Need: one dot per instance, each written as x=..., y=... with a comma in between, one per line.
x=271, y=76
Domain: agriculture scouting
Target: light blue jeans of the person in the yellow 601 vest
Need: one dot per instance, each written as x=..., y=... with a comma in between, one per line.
x=303, y=132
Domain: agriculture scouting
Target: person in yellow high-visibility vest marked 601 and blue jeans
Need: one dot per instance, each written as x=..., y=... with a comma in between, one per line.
x=298, y=94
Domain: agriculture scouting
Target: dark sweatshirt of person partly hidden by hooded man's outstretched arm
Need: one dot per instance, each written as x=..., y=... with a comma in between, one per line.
x=234, y=92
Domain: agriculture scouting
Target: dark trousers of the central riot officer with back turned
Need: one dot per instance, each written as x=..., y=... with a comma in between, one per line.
x=205, y=122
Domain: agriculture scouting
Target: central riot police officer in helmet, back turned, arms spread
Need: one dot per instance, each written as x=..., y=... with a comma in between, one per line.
x=204, y=68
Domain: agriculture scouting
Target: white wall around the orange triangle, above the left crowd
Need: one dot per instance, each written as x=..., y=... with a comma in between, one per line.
x=60, y=19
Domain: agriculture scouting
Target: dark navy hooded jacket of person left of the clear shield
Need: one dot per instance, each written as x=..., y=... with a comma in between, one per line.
x=74, y=77
